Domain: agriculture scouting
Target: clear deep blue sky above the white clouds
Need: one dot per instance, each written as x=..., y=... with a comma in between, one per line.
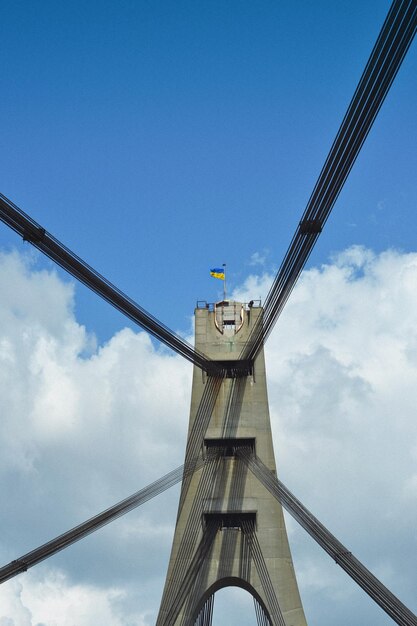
x=159, y=139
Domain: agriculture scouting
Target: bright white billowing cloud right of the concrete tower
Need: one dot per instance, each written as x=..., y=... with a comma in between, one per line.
x=342, y=376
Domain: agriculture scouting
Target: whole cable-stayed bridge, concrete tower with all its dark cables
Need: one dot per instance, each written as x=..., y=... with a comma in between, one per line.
x=230, y=527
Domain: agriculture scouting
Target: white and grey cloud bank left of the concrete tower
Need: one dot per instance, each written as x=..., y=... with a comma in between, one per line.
x=82, y=427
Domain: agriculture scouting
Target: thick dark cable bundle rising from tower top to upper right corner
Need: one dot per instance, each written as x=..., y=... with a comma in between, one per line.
x=393, y=42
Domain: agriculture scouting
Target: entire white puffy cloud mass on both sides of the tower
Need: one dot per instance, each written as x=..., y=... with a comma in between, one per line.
x=85, y=425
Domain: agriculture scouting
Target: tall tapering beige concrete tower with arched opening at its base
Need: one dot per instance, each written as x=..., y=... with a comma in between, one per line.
x=229, y=530
